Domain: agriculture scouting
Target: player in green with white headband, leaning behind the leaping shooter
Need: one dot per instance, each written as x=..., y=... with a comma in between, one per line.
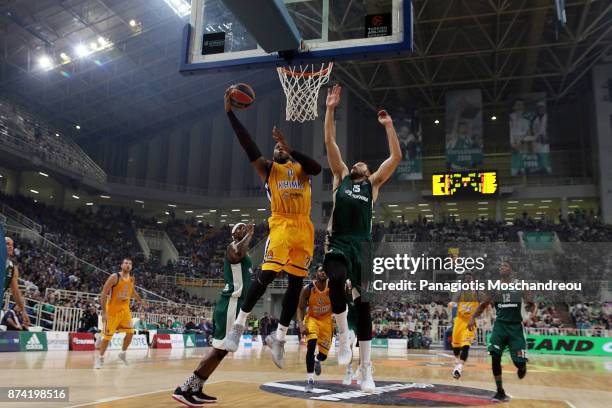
x=237, y=270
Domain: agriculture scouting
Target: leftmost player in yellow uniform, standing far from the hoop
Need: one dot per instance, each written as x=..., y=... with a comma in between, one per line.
x=116, y=314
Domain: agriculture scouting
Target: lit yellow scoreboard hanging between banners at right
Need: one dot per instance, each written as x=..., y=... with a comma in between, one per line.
x=464, y=184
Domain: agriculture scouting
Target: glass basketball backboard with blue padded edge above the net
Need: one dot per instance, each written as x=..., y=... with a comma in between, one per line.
x=330, y=30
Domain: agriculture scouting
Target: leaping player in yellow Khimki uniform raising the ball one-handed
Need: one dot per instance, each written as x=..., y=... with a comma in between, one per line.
x=290, y=244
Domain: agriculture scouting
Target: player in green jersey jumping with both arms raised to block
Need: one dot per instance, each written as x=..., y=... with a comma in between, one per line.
x=350, y=225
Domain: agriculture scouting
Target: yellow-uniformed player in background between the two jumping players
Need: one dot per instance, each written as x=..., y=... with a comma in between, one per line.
x=317, y=325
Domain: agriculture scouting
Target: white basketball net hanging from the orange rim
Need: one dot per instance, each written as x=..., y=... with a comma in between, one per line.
x=301, y=85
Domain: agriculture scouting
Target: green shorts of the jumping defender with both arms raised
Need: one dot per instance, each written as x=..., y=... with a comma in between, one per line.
x=347, y=249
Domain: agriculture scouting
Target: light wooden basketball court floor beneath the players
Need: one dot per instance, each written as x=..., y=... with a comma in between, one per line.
x=552, y=381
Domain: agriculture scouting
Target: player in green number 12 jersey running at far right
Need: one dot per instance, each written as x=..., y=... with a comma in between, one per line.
x=508, y=330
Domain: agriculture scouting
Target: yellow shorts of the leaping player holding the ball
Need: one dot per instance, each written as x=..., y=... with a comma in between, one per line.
x=290, y=245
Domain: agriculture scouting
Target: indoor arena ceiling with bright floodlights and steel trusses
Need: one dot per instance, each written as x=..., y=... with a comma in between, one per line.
x=130, y=86
